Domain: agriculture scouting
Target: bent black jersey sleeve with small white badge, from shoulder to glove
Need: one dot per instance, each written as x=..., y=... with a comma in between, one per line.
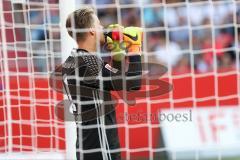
x=94, y=73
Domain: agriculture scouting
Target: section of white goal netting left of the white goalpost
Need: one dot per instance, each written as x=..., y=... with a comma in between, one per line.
x=30, y=49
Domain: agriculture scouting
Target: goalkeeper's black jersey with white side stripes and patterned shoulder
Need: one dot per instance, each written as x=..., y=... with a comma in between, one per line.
x=88, y=81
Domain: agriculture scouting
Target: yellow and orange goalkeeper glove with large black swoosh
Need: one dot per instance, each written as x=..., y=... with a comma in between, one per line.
x=132, y=36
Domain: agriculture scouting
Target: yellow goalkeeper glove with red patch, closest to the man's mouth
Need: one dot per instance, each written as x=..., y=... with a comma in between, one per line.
x=114, y=41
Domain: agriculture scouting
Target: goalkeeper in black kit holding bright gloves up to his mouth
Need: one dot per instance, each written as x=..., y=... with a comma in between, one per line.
x=97, y=137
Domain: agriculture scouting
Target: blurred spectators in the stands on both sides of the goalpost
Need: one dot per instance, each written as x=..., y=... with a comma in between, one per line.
x=212, y=30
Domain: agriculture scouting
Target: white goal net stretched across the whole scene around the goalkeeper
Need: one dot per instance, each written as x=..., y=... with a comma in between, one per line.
x=193, y=43
